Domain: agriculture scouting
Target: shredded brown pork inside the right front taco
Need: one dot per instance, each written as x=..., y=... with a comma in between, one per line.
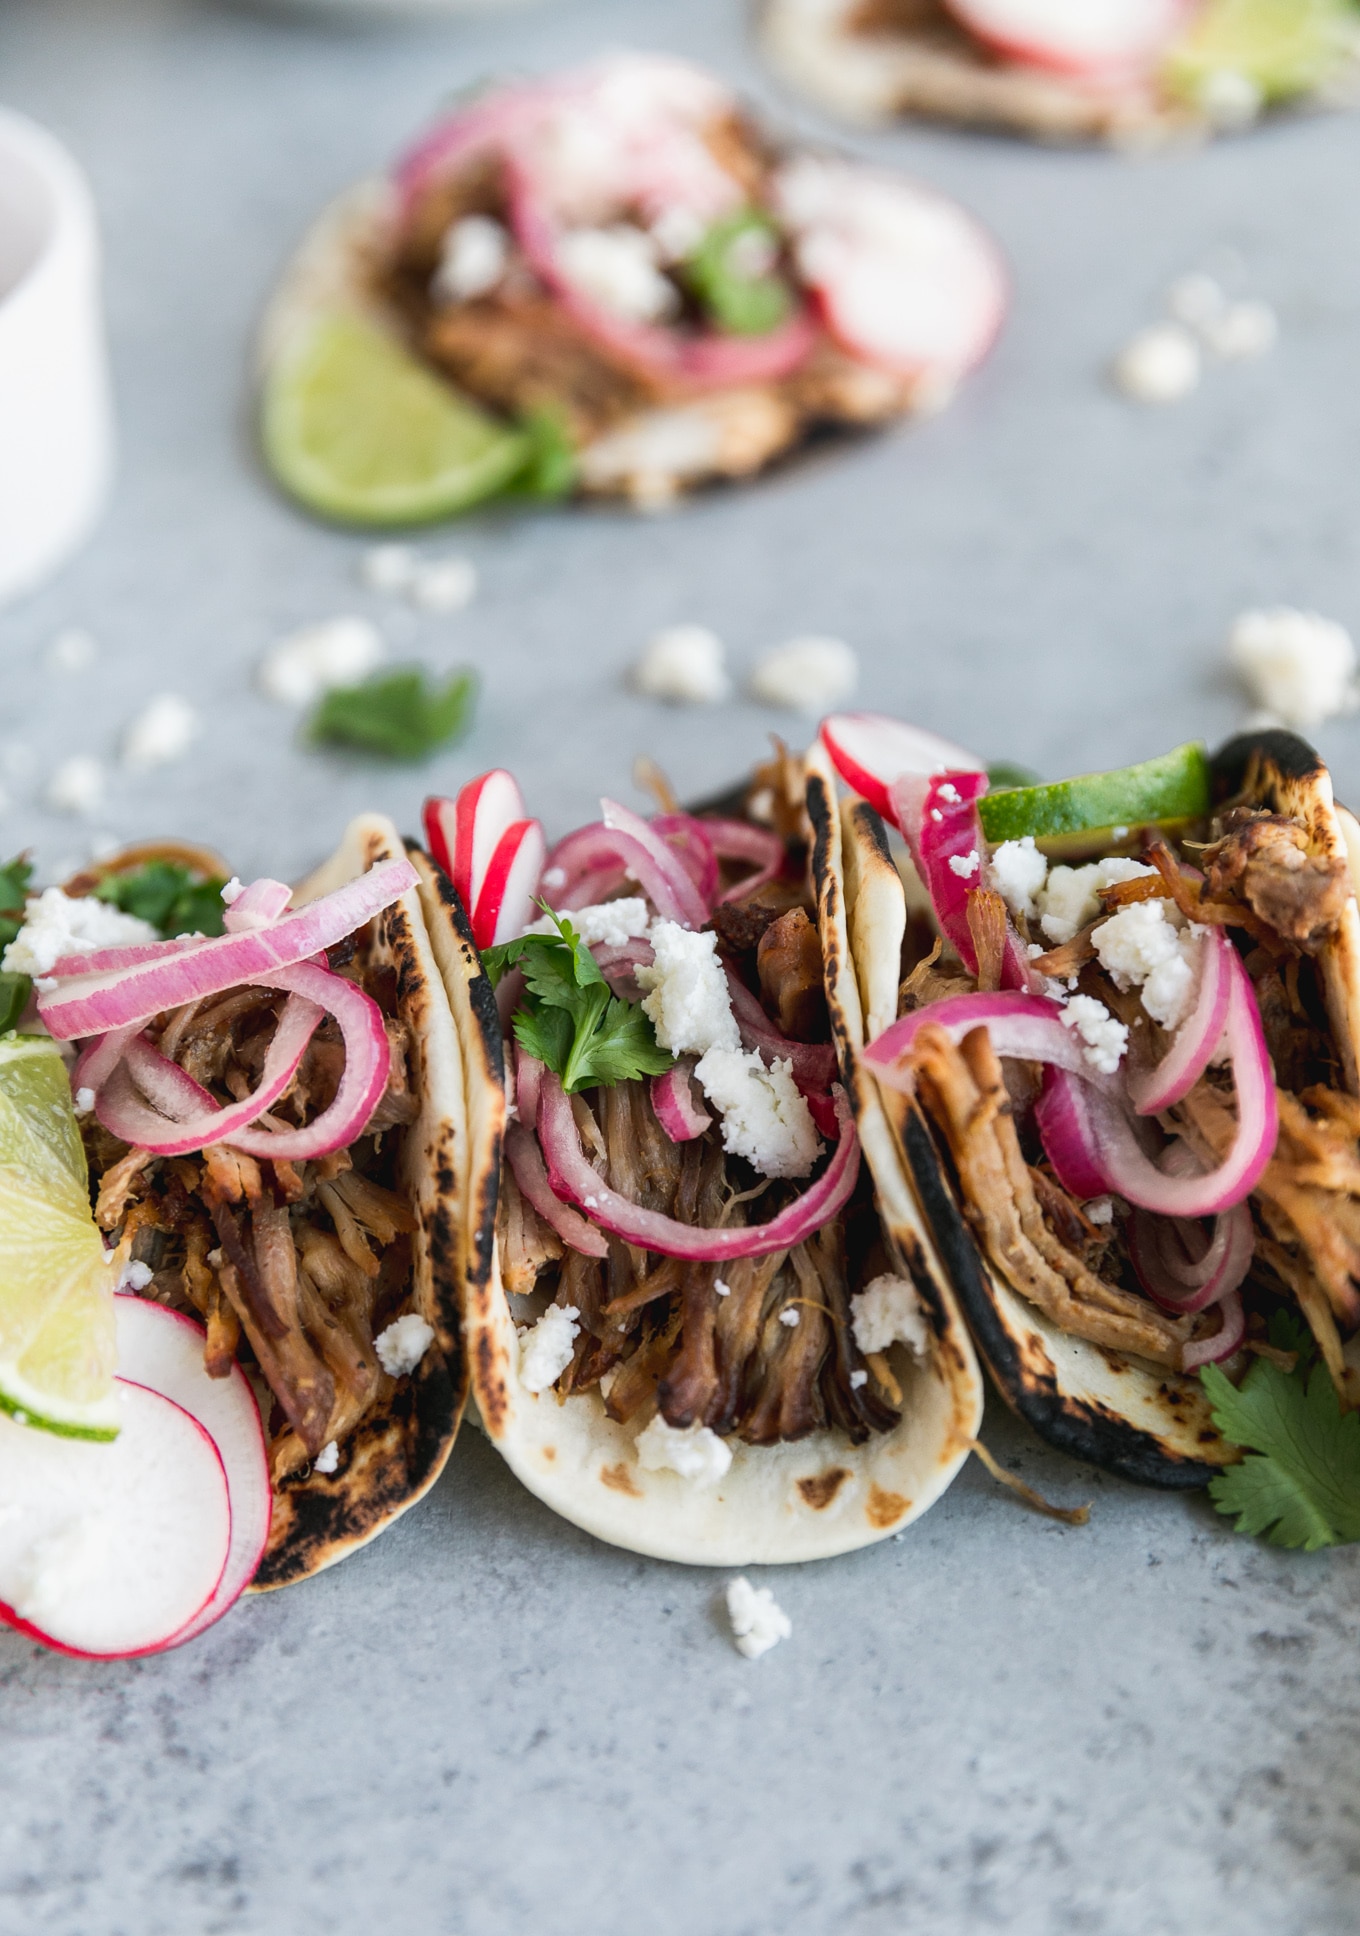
x=1280, y=888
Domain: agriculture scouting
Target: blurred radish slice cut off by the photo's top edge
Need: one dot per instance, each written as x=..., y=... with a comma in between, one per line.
x=1086, y=38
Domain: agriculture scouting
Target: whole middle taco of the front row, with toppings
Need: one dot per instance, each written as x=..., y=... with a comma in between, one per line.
x=698, y=1325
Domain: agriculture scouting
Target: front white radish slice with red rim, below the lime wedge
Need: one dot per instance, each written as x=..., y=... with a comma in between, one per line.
x=113, y=1550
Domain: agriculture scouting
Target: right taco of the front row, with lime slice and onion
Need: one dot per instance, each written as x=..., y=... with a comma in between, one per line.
x=1123, y=1075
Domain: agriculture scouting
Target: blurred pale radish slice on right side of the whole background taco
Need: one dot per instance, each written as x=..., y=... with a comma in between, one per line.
x=906, y=280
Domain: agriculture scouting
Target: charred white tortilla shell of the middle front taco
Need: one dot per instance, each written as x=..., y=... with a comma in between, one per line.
x=778, y=1503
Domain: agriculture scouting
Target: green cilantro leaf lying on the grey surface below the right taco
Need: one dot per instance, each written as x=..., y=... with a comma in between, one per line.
x=1301, y=1482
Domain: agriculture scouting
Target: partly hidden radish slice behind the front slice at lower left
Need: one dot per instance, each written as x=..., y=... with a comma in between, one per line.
x=164, y=1350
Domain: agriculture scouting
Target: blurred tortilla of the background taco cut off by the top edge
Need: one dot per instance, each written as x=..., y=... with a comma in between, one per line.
x=873, y=61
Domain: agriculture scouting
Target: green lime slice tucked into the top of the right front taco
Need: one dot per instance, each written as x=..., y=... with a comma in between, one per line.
x=1169, y=789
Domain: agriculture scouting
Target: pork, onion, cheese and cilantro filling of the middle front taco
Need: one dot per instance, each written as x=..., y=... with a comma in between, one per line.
x=685, y=1226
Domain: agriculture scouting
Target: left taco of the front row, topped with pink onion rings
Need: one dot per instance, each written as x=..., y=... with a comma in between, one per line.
x=315, y=1242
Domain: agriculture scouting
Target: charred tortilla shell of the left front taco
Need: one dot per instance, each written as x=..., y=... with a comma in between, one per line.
x=398, y=1449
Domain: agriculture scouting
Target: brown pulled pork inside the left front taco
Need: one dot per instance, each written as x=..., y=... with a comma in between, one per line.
x=292, y=1267
